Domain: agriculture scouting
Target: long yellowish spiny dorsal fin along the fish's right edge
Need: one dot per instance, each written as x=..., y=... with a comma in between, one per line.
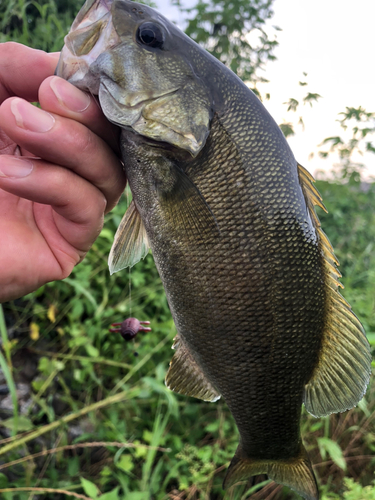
x=341, y=376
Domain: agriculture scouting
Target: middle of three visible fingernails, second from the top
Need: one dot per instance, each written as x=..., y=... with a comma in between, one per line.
x=30, y=117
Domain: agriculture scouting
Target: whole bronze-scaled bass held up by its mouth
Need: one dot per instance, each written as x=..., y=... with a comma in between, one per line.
x=251, y=279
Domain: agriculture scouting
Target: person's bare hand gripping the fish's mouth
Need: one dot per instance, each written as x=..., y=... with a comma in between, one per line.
x=51, y=207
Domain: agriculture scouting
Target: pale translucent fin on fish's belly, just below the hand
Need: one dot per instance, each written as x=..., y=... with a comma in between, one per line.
x=130, y=244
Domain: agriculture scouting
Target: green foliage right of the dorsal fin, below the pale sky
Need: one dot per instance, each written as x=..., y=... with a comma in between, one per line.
x=350, y=225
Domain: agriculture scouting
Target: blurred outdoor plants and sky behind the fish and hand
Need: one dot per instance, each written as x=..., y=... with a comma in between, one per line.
x=86, y=415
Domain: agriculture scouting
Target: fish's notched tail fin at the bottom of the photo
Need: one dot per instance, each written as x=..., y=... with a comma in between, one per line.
x=296, y=472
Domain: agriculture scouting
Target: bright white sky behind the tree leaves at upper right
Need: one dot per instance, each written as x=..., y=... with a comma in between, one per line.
x=333, y=42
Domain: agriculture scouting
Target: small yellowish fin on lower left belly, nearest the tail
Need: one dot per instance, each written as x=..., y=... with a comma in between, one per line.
x=185, y=377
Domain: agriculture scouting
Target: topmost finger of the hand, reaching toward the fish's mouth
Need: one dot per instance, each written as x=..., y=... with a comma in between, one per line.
x=23, y=69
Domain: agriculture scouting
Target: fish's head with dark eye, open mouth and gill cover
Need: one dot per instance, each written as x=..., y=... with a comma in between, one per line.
x=141, y=67
